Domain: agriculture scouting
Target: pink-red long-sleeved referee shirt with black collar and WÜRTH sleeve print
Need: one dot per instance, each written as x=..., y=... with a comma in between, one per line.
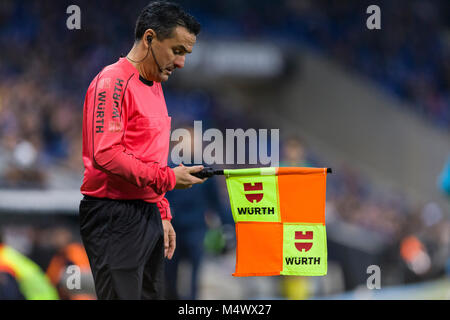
x=126, y=134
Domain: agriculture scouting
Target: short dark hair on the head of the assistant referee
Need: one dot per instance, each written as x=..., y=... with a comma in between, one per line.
x=163, y=17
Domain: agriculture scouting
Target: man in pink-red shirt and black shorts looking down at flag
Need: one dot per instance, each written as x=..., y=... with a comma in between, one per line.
x=125, y=220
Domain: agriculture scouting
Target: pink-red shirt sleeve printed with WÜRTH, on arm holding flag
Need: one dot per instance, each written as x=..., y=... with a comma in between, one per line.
x=109, y=154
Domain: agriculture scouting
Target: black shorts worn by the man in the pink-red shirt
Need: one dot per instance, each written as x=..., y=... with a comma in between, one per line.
x=124, y=241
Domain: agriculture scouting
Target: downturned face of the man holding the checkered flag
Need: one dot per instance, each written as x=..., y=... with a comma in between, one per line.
x=171, y=53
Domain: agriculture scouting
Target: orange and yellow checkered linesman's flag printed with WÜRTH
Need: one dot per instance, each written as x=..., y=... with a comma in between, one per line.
x=280, y=220
